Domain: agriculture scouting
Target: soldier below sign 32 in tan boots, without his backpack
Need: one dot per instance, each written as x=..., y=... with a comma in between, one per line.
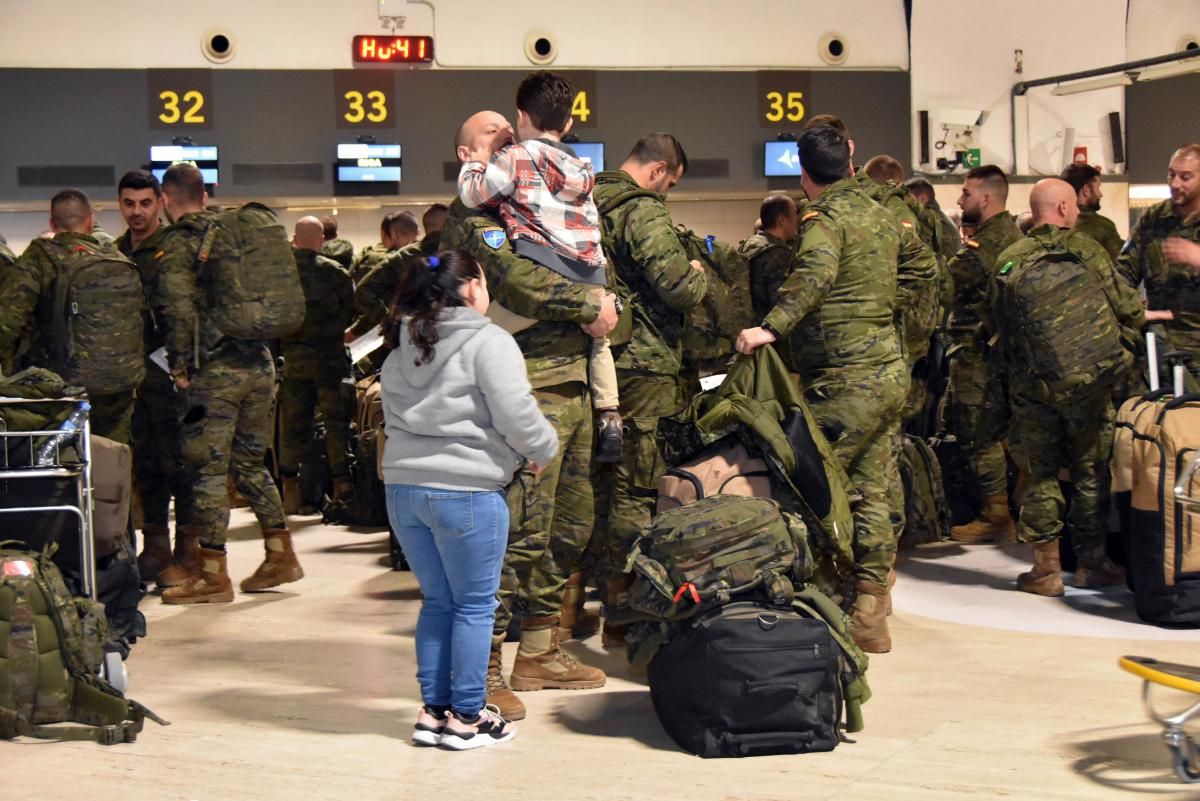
x=230, y=389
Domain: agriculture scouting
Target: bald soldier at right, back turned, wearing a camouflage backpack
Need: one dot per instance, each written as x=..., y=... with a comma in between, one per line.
x=1059, y=386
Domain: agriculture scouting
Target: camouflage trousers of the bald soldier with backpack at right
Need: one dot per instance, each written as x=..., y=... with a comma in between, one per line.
x=1046, y=439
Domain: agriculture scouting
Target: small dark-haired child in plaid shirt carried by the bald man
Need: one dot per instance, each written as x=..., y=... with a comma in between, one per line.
x=544, y=194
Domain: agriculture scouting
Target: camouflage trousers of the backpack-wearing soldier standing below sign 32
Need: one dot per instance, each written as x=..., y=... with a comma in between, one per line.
x=230, y=424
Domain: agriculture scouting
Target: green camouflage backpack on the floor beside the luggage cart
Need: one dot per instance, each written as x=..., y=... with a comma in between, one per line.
x=51, y=652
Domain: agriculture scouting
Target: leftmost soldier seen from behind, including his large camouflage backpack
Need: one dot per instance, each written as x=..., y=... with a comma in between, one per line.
x=103, y=350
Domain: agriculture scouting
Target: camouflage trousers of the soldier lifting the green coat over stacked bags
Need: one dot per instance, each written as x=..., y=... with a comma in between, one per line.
x=860, y=411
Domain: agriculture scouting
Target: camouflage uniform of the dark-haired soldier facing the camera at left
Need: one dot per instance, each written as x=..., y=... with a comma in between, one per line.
x=158, y=461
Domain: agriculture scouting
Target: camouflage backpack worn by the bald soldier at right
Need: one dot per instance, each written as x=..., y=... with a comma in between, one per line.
x=1058, y=320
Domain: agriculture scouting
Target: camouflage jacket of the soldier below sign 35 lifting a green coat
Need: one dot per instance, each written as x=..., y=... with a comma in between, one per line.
x=839, y=302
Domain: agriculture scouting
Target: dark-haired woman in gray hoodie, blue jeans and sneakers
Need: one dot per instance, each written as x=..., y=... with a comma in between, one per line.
x=460, y=420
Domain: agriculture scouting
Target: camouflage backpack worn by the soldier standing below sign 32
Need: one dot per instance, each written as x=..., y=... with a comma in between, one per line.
x=248, y=267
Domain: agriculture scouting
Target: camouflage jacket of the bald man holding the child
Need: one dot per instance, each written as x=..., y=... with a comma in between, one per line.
x=556, y=350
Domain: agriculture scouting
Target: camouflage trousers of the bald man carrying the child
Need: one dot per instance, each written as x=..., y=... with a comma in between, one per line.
x=550, y=514
